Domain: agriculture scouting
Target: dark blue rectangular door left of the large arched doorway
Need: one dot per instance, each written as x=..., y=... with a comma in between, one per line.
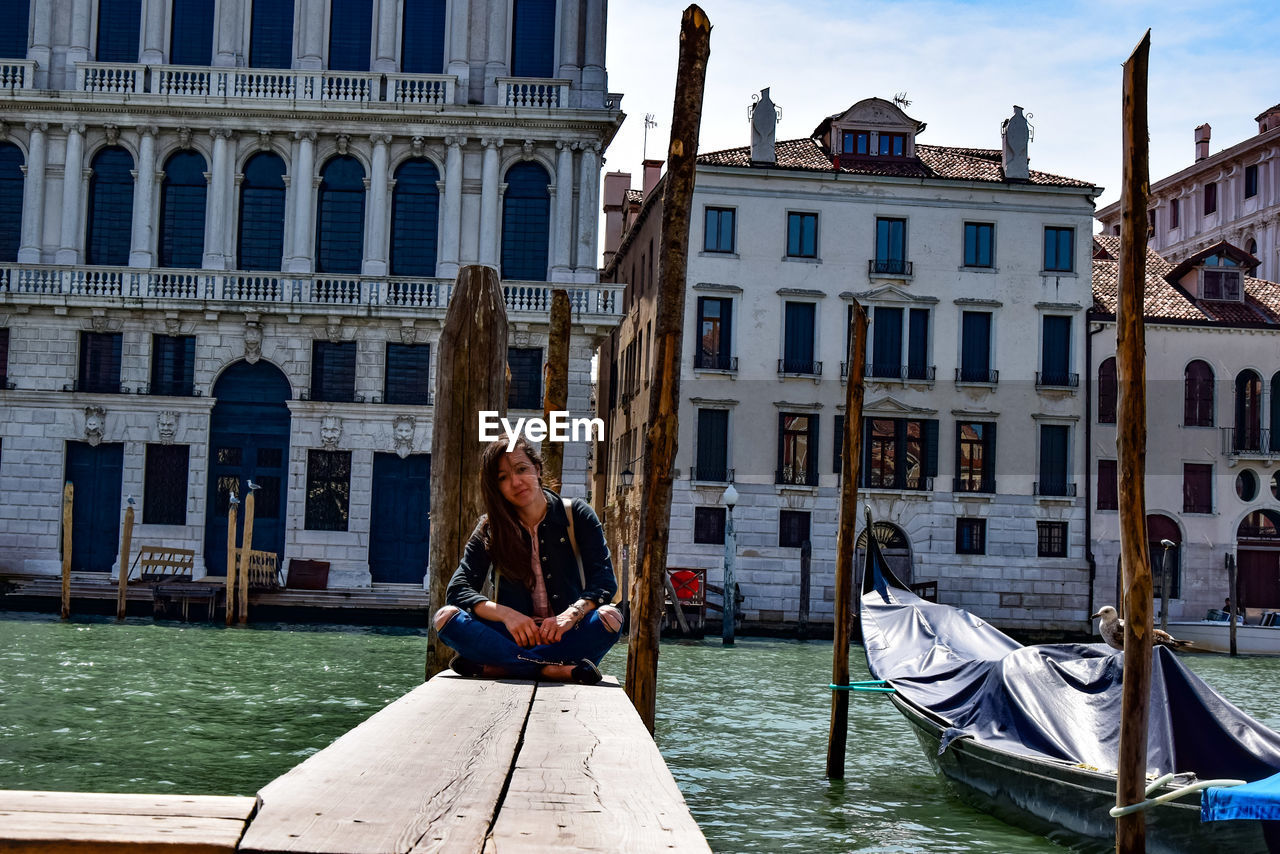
x=95, y=472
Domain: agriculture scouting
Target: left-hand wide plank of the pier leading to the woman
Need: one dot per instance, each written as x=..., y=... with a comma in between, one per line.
x=426, y=774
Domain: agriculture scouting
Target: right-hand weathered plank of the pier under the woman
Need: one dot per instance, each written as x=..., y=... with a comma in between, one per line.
x=591, y=779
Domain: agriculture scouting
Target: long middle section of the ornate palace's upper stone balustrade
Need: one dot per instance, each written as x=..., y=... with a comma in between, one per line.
x=264, y=84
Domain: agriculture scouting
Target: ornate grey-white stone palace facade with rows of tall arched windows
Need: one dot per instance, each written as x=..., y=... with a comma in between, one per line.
x=232, y=231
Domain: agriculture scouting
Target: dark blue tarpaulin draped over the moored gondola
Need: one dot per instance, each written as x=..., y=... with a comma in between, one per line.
x=1057, y=702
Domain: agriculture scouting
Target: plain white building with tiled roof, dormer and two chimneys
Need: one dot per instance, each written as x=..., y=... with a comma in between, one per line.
x=976, y=284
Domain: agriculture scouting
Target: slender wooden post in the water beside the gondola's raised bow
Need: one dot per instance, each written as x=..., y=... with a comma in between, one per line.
x=847, y=537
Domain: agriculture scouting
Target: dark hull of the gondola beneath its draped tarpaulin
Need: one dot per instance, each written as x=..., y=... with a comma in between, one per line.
x=1068, y=805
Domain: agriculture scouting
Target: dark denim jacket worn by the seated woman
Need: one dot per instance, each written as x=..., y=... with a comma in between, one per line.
x=560, y=569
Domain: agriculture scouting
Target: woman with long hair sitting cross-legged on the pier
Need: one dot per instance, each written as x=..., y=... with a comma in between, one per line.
x=550, y=616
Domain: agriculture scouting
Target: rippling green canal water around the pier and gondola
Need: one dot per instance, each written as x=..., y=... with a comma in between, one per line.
x=93, y=706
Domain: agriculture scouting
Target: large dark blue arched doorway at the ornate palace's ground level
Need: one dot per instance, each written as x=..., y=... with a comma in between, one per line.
x=249, y=440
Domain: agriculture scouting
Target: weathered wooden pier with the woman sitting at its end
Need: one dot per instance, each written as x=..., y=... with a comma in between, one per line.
x=455, y=766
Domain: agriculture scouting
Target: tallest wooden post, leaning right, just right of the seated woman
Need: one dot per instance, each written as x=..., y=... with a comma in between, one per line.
x=678, y=198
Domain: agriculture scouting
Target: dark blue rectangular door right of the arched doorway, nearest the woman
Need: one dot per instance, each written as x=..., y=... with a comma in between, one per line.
x=400, y=531
